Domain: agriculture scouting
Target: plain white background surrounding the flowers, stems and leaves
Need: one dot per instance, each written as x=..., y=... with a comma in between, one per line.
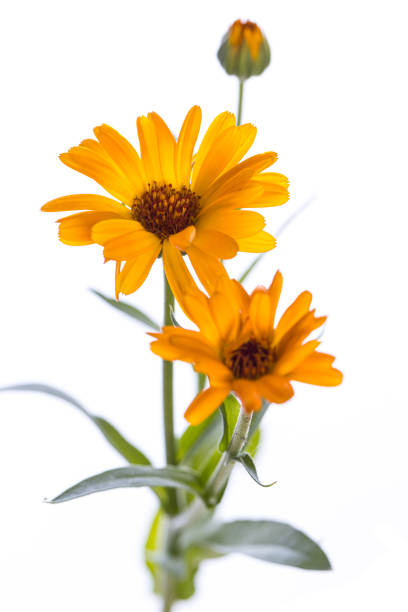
x=333, y=104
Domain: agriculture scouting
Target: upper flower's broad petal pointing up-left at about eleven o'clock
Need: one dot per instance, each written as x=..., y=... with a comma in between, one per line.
x=124, y=155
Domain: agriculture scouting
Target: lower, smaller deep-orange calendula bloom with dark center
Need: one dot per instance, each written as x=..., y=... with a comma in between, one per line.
x=241, y=349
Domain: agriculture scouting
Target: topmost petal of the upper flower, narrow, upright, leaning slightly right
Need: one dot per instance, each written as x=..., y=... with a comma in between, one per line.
x=185, y=145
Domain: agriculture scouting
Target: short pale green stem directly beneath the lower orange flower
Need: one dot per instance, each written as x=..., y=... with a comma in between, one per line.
x=219, y=479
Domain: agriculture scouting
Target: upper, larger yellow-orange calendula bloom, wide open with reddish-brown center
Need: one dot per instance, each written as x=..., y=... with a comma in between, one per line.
x=170, y=201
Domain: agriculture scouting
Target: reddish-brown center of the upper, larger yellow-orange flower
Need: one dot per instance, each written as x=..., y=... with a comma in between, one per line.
x=163, y=210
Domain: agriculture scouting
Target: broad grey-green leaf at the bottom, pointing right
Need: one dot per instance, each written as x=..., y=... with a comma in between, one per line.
x=265, y=540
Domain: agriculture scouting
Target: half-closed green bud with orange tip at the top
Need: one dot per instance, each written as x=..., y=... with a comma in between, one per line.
x=244, y=50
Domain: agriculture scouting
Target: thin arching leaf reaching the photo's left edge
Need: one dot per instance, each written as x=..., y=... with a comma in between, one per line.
x=119, y=443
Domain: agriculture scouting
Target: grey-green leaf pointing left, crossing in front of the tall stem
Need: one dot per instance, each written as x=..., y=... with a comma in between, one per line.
x=133, y=476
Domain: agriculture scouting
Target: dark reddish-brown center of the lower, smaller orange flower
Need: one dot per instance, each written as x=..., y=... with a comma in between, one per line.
x=252, y=359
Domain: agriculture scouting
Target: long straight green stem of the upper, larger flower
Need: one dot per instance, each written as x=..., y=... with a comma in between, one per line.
x=168, y=401
